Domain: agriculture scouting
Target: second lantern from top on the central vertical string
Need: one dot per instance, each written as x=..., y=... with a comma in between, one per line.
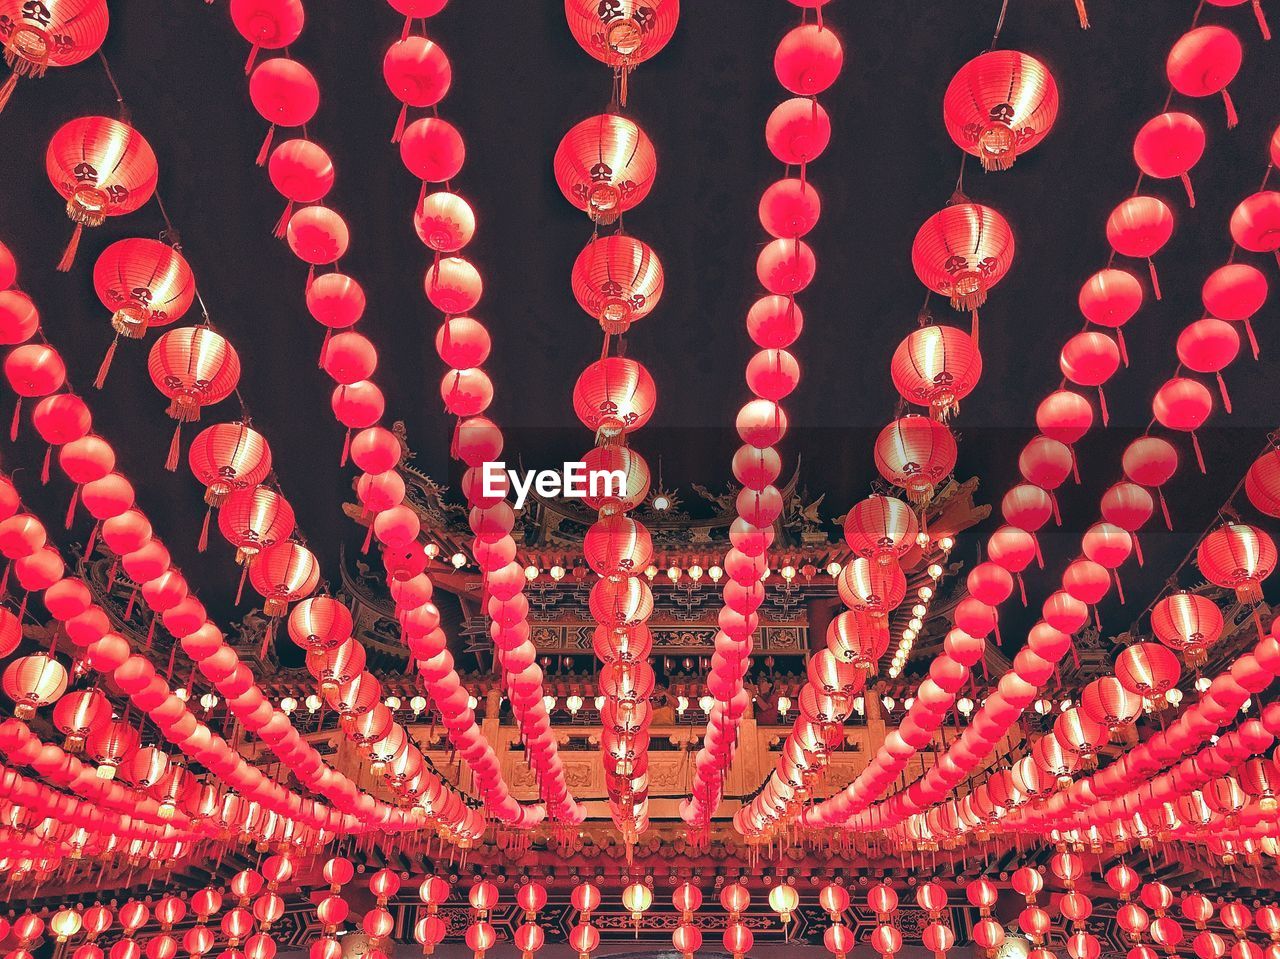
x=606, y=166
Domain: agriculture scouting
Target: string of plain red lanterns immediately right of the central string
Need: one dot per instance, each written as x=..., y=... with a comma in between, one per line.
x=807, y=62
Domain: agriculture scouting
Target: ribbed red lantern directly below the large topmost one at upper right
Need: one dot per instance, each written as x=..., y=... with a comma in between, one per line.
x=962, y=253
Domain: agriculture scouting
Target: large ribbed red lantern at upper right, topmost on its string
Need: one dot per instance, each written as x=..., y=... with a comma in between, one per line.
x=1000, y=106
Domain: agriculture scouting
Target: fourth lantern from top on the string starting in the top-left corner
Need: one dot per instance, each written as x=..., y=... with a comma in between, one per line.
x=194, y=367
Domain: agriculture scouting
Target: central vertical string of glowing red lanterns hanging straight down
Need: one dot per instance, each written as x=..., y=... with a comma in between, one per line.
x=606, y=166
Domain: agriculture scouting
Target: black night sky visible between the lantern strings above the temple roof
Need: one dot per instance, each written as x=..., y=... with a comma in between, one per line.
x=519, y=83
